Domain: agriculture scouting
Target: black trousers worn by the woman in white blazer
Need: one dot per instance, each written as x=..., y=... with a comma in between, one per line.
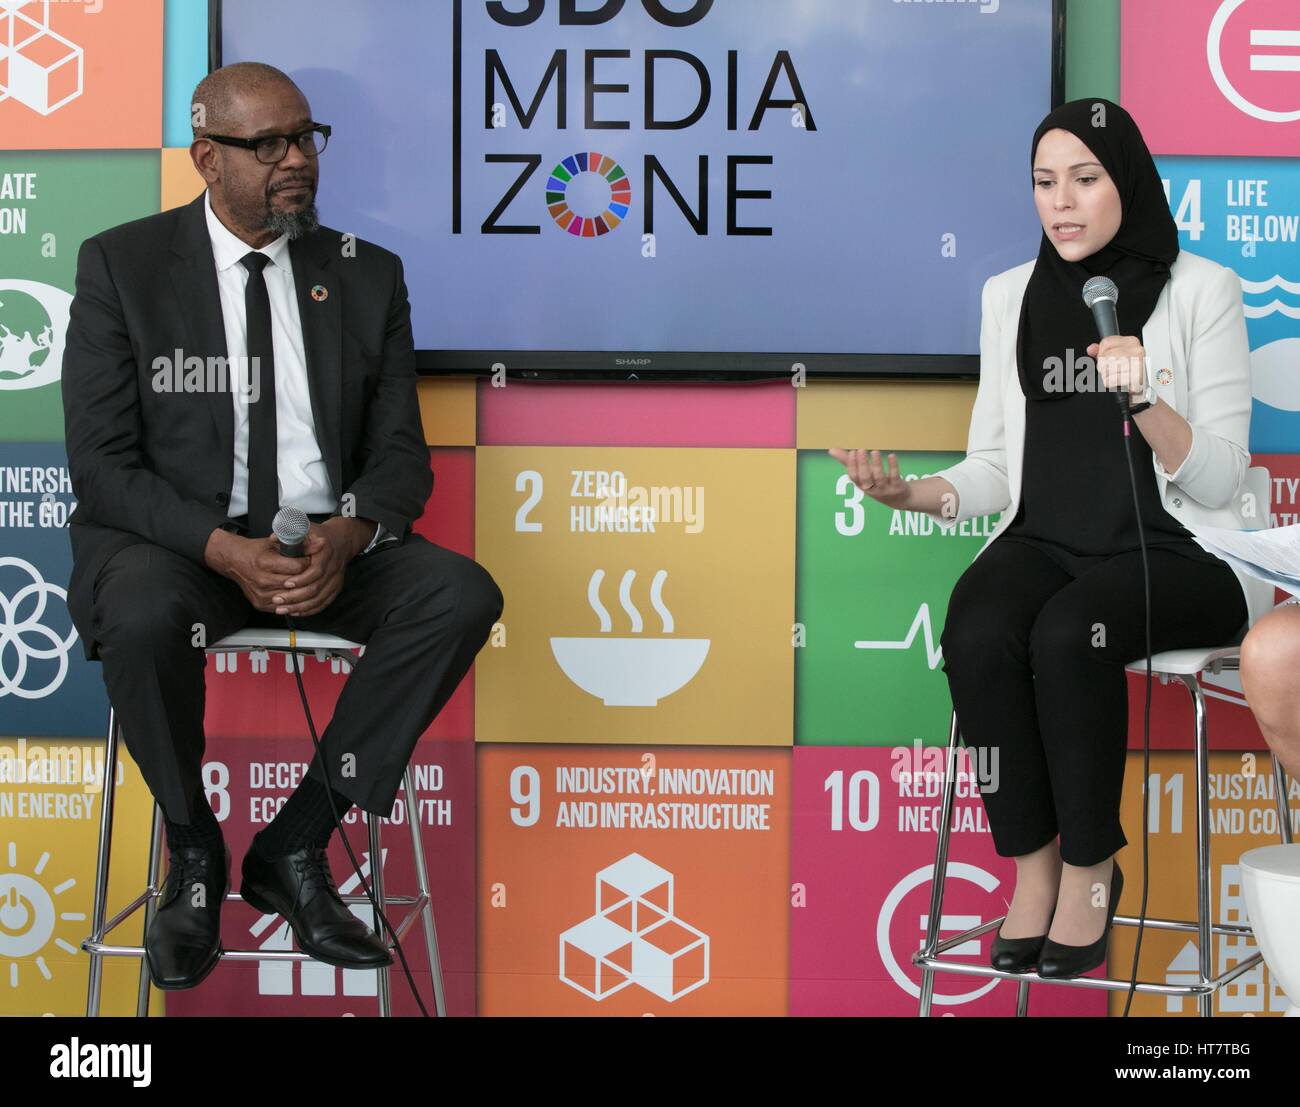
x=1035, y=659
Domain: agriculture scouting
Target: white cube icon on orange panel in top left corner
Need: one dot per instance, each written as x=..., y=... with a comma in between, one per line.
x=38, y=67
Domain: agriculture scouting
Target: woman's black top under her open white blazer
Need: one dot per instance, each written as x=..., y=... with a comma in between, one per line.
x=1077, y=500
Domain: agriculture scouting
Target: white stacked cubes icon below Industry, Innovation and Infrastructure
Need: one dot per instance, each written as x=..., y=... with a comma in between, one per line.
x=634, y=937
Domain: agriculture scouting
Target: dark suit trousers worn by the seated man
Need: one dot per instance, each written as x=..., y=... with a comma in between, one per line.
x=423, y=611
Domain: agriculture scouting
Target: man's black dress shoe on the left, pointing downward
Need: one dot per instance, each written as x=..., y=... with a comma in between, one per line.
x=183, y=944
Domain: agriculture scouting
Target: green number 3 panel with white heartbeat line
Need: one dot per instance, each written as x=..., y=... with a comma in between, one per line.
x=857, y=581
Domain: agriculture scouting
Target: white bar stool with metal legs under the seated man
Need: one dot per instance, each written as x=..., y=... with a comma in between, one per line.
x=255, y=641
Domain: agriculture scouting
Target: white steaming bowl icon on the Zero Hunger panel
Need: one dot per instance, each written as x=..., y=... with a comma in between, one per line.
x=630, y=671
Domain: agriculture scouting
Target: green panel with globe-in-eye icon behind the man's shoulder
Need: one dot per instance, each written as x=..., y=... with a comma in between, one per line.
x=76, y=196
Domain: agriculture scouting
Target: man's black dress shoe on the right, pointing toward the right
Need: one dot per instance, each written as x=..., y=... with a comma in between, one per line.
x=301, y=888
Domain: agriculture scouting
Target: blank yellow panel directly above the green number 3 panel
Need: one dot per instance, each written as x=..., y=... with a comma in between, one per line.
x=885, y=415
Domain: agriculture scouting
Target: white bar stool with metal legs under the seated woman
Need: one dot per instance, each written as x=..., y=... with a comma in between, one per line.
x=1184, y=666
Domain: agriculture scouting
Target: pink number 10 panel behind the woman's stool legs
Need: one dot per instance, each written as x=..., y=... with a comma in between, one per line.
x=868, y=895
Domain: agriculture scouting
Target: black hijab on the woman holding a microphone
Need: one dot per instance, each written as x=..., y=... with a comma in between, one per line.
x=1138, y=259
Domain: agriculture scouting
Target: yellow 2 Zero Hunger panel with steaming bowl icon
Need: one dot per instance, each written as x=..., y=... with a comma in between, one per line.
x=651, y=594
